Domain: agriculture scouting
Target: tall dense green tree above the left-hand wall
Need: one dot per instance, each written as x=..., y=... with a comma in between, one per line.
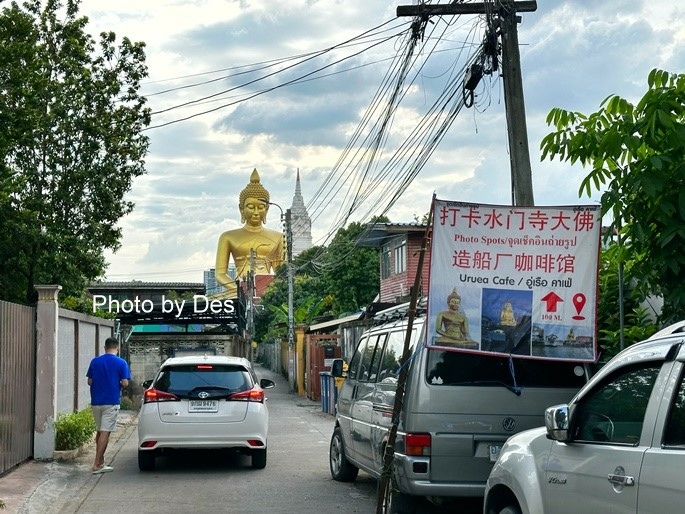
x=70, y=146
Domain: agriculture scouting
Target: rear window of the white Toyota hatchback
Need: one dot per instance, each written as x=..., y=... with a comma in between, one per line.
x=189, y=378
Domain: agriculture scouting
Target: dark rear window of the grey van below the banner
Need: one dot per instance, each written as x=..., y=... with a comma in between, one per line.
x=460, y=368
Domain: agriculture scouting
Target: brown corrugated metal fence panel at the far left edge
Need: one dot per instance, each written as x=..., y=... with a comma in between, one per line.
x=17, y=383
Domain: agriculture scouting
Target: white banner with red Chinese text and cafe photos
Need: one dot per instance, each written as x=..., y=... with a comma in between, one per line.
x=518, y=281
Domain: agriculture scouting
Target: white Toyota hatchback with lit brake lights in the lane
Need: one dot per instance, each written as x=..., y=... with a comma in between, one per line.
x=204, y=402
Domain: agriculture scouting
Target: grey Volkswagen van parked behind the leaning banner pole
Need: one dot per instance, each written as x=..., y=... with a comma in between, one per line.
x=458, y=410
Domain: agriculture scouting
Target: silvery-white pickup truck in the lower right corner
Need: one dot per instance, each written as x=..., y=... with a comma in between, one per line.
x=618, y=446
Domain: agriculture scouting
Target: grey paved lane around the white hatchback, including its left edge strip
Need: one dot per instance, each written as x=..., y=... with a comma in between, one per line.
x=296, y=478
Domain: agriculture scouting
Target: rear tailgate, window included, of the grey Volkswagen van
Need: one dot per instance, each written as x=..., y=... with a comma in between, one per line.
x=471, y=403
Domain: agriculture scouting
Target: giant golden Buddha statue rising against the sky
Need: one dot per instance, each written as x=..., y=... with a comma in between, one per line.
x=252, y=247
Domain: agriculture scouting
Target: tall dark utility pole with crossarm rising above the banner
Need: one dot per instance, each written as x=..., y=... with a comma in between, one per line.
x=507, y=20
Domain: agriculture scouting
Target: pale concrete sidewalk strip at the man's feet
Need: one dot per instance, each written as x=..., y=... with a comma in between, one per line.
x=40, y=487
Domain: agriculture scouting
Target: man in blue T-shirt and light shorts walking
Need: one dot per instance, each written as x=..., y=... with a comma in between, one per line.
x=107, y=374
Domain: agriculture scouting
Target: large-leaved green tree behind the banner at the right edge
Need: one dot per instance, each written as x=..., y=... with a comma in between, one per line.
x=636, y=153
